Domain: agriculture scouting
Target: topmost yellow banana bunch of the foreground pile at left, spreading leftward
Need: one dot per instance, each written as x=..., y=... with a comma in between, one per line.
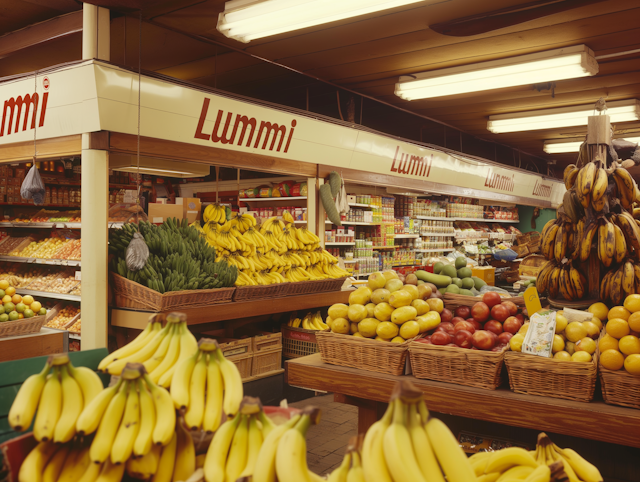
x=158, y=349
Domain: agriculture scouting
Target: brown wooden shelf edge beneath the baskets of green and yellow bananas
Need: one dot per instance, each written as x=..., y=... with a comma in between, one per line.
x=237, y=310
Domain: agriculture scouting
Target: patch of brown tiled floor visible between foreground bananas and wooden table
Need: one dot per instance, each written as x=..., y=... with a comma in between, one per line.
x=327, y=441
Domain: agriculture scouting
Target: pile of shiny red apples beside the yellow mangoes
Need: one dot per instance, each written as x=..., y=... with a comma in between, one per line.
x=487, y=325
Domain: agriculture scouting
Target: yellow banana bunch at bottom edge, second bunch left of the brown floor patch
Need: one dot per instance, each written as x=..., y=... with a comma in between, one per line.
x=234, y=452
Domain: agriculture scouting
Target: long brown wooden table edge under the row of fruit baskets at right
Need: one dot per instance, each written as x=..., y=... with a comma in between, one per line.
x=609, y=423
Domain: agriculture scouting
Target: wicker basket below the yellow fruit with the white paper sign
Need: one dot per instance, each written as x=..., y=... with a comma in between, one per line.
x=548, y=377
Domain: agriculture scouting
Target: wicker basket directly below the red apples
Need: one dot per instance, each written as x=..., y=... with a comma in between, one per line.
x=473, y=368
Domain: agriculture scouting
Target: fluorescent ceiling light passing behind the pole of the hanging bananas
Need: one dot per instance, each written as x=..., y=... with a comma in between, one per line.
x=618, y=111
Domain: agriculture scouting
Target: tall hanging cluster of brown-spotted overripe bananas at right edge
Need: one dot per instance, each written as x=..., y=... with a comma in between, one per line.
x=598, y=216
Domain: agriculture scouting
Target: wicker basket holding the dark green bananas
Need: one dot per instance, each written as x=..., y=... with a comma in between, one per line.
x=129, y=294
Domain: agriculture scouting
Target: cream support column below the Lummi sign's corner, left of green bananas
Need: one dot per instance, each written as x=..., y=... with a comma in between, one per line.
x=95, y=209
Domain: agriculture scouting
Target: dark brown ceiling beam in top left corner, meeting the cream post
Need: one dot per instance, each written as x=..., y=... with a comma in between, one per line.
x=38, y=33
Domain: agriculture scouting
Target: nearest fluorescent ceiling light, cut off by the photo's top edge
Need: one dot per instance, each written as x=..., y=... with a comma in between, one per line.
x=246, y=20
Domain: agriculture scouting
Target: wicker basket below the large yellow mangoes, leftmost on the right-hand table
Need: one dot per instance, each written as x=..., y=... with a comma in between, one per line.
x=363, y=353
